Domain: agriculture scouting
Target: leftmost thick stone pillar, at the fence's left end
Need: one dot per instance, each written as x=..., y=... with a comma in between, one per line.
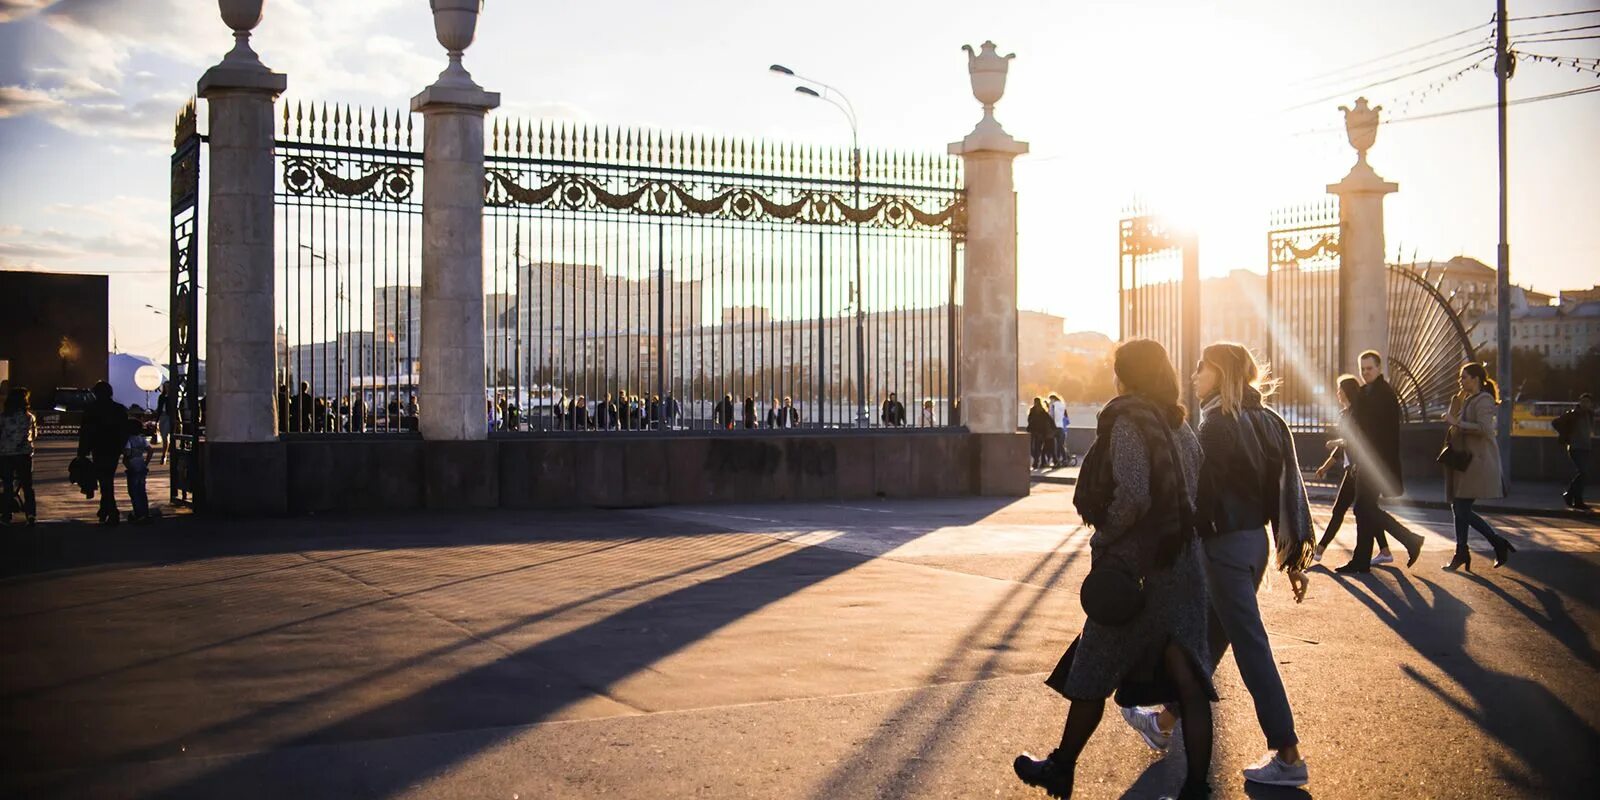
x=239, y=350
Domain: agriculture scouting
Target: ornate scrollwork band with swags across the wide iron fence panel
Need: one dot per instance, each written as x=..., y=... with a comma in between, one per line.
x=665, y=198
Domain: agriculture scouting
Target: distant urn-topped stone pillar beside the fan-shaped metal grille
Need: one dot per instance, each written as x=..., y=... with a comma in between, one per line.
x=1364, y=278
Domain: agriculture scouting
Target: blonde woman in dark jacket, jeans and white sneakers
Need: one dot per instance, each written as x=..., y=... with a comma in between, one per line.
x=1250, y=479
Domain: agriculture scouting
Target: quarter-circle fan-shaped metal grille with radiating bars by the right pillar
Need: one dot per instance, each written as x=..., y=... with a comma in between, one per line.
x=1428, y=342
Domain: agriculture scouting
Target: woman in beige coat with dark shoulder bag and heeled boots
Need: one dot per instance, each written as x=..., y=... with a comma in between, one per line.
x=1473, y=430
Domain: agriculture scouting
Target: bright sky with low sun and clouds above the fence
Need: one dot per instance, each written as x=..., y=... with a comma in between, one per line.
x=1214, y=113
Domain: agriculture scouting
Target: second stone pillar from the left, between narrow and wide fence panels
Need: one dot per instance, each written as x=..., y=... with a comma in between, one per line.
x=450, y=396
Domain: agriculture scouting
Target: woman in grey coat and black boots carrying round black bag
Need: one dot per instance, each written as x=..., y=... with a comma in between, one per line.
x=1137, y=490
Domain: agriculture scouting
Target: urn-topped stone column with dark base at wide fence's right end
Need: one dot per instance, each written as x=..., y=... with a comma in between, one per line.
x=990, y=321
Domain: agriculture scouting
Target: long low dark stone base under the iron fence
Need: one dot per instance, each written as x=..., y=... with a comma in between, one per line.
x=634, y=471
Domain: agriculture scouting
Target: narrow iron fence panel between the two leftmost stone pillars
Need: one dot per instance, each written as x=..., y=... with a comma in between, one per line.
x=350, y=316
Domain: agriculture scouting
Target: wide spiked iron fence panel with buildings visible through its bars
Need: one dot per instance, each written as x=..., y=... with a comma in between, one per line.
x=649, y=281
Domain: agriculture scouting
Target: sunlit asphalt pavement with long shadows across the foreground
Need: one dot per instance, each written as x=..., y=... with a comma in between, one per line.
x=793, y=650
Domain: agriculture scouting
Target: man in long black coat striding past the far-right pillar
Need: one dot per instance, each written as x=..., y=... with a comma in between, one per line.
x=1375, y=450
